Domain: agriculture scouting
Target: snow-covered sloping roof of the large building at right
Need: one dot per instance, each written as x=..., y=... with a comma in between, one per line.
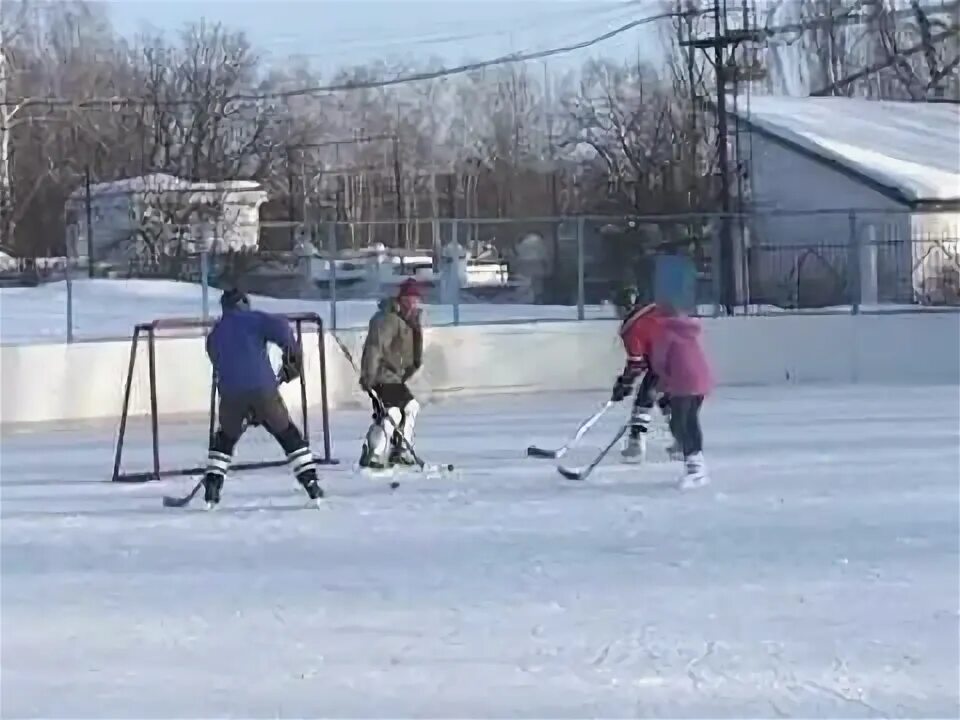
x=913, y=149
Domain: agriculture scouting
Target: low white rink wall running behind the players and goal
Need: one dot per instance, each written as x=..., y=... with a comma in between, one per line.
x=85, y=381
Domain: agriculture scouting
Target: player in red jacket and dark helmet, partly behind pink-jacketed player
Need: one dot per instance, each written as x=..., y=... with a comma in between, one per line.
x=639, y=328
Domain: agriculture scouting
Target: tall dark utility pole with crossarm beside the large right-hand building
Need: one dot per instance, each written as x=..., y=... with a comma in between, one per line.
x=718, y=44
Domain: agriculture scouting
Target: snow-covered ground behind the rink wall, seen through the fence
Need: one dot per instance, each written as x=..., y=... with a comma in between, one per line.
x=110, y=309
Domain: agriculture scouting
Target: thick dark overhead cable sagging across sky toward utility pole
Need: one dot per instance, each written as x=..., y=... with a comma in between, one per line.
x=118, y=102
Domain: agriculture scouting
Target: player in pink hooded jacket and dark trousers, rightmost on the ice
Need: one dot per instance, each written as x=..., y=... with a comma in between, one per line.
x=684, y=373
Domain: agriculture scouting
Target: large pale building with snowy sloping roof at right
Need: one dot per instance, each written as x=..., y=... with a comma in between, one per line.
x=846, y=187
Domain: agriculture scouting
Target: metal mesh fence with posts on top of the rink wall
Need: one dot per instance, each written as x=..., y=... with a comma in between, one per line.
x=554, y=268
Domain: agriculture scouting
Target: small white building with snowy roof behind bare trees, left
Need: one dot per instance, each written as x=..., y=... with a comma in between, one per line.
x=158, y=214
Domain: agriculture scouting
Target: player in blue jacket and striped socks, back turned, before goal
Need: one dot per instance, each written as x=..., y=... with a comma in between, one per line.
x=249, y=391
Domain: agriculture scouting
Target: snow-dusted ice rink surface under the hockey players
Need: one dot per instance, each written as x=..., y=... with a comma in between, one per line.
x=816, y=576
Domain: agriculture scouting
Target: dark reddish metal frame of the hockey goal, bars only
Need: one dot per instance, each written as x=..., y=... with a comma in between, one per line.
x=303, y=324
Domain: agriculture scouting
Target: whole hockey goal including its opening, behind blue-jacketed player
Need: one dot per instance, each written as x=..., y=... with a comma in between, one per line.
x=165, y=386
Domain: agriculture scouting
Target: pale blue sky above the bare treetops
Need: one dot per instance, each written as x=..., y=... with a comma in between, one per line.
x=337, y=33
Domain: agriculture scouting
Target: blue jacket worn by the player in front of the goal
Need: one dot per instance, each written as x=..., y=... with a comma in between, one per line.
x=237, y=348
